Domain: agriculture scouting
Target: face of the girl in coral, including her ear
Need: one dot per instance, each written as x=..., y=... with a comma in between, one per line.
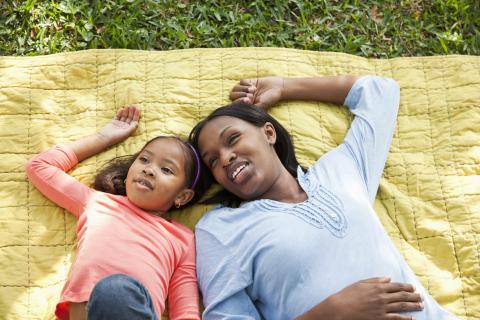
x=157, y=180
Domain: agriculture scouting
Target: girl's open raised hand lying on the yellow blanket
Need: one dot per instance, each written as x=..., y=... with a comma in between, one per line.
x=122, y=126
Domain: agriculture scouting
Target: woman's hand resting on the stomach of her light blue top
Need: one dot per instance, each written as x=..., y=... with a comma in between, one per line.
x=370, y=299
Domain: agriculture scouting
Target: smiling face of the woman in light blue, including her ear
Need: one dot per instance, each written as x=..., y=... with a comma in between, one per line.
x=240, y=155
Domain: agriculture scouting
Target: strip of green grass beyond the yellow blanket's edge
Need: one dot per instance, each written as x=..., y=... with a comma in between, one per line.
x=366, y=28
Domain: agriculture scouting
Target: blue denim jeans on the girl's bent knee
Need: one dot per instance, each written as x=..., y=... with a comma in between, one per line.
x=120, y=297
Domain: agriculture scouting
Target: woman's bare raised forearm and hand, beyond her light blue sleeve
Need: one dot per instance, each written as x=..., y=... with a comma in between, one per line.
x=266, y=92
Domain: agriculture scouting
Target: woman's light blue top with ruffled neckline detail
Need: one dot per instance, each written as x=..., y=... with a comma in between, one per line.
x=274, y=260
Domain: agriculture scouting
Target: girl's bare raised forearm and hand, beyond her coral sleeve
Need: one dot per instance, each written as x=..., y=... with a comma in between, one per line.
x=121, y=127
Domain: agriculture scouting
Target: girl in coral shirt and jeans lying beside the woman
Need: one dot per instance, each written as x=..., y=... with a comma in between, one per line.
x=123, y=238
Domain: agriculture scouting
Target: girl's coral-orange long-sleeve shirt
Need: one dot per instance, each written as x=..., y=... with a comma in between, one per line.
x=114, y=236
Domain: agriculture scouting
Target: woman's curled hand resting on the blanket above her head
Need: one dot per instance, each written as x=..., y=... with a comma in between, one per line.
x=263, y=92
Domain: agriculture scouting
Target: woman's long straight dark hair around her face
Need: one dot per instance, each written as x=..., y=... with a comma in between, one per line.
x=258, y=117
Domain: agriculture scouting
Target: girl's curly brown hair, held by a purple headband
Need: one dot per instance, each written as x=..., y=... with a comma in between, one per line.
x=111, y=179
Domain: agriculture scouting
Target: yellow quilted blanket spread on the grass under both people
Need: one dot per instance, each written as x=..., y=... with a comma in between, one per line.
x=429, y=198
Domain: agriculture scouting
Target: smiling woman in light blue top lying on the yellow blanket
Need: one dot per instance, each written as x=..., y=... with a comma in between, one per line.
x=287, y=240
